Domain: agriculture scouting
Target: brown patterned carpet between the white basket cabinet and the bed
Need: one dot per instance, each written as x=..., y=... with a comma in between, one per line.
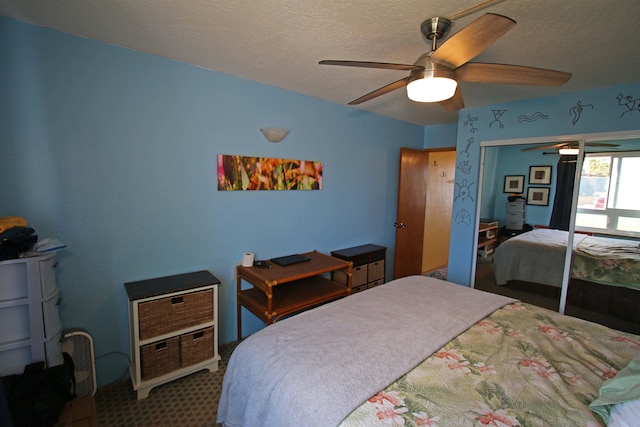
x=191, y=401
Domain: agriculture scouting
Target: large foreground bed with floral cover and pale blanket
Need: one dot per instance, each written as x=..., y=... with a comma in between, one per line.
x=422, y=351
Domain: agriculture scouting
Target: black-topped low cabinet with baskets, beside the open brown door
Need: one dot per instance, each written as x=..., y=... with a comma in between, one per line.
x=368, y=266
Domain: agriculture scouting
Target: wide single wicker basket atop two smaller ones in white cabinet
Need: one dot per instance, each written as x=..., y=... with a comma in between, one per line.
x=165, y=315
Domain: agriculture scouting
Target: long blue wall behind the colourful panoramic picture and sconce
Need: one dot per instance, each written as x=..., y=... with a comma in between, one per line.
x=114, y=152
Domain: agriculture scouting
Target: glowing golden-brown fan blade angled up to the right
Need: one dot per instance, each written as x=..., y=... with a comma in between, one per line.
x=472, y=40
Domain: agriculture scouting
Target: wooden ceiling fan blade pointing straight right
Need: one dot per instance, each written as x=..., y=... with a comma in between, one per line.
x=510, y=74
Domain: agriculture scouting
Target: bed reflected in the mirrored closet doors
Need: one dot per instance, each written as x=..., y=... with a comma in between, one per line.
x=605, y=273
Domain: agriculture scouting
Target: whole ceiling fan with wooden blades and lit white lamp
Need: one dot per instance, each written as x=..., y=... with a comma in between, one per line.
x=444, y=66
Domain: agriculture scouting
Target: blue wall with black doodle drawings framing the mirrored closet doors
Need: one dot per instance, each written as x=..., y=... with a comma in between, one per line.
x=600, y=110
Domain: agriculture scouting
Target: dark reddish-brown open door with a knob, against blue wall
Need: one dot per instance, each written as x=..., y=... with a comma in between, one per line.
x=412, y=198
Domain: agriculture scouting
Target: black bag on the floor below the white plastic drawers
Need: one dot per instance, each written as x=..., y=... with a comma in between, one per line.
x=37, y=397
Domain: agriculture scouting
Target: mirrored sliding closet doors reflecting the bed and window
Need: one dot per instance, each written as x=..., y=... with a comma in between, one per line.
x=526, y=210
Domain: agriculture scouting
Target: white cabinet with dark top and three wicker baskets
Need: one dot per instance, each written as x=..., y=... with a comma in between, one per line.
x=173, y=328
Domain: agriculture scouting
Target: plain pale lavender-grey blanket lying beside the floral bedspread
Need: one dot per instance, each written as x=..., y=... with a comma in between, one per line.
x=315, y=368
